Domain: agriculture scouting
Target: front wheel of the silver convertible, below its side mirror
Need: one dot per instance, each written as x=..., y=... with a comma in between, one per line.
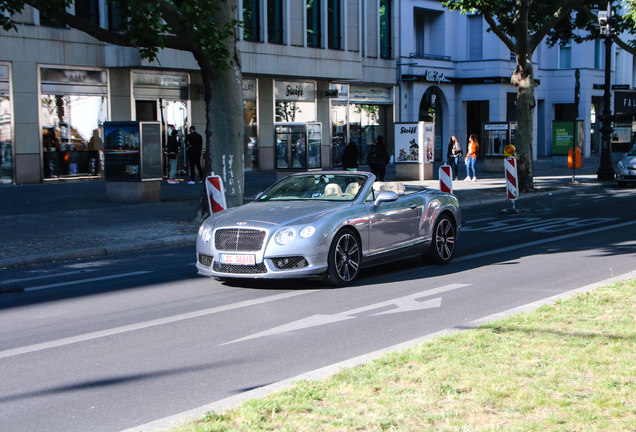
x=344, y=259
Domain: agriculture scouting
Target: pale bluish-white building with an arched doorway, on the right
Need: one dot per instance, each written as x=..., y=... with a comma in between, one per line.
x=452, y=72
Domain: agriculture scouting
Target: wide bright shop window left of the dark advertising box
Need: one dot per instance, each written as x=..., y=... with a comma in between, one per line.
x=71, y=135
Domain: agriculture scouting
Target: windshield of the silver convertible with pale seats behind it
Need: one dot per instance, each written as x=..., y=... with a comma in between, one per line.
x=330, y=187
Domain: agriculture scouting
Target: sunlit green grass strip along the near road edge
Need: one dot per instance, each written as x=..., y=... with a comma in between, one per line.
x=569, y=366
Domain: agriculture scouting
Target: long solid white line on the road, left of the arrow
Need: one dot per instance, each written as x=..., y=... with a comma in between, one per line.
x=146, y=324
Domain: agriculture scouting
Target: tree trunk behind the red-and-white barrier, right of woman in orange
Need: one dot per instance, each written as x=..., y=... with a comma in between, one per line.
x=523, y=78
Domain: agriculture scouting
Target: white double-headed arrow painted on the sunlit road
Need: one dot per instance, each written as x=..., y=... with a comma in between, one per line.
x=402, y=304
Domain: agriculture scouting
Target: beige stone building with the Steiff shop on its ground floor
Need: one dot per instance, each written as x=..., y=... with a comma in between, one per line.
x=317, y=74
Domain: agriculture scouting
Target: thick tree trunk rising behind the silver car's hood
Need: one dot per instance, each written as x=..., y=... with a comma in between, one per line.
x=224, y=126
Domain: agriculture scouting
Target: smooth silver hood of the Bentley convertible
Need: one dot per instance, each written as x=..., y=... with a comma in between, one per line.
x=277, y=212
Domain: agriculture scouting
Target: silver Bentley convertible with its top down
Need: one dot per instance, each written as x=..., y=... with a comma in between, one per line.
x=328, y=224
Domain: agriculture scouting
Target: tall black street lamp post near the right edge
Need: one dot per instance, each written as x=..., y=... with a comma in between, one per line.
x=605, y=171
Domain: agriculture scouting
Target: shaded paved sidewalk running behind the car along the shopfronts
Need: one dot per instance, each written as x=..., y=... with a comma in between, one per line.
x=59, y=222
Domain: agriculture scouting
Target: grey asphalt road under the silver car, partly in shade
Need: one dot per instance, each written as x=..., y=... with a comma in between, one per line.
x=107, y=344
